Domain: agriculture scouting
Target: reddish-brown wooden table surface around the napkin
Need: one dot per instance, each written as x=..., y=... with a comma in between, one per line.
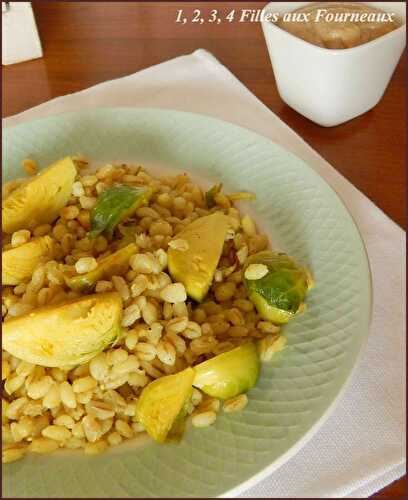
x=86, y=43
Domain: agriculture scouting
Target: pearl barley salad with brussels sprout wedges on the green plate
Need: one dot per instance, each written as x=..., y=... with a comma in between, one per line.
x=131, y=303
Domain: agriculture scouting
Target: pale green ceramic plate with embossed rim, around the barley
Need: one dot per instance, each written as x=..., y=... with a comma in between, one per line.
x=305, y=218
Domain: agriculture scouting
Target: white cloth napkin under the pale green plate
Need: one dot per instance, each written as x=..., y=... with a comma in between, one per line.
x=360, y=448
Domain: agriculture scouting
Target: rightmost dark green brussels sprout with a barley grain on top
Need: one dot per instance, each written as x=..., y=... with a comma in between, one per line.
x=279, y=295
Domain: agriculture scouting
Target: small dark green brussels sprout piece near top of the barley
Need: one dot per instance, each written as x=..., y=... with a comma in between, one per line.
x=115, y=204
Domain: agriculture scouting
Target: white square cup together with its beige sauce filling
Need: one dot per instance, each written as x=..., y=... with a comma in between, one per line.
x=332, y=71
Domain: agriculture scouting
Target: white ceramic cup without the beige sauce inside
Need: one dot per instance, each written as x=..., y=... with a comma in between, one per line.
x=332, y=86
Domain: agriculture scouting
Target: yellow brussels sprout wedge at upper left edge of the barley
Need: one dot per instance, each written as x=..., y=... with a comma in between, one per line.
x=40, y=199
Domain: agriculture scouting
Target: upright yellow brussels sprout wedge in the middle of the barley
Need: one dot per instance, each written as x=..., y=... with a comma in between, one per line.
x=195, y=267
